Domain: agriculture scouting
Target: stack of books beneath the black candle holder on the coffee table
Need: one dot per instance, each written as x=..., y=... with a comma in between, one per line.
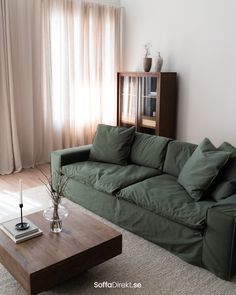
x=19, y=236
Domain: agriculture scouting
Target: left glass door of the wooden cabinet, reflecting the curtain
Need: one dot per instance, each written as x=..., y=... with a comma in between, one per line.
x=128, y=103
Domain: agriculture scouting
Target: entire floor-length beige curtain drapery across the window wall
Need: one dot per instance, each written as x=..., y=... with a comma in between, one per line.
x=59, y=60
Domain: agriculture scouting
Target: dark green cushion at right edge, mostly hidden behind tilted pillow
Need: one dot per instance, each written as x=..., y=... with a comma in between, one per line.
x=224, y=184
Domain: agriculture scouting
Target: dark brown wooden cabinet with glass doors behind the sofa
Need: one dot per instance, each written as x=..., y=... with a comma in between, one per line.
x=147, y=101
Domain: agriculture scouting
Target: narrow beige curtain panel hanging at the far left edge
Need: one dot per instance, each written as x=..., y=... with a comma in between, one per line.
x=9, y=146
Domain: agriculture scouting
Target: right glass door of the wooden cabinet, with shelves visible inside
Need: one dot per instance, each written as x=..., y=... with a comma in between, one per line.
x=148, y=102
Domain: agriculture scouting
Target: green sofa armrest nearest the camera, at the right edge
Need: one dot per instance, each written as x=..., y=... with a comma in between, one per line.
x=219, y=242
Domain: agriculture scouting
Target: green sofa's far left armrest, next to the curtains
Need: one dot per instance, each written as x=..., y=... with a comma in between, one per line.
x=68, y=156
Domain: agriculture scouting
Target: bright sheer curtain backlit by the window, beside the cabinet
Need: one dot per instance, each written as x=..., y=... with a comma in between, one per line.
x=81, y=59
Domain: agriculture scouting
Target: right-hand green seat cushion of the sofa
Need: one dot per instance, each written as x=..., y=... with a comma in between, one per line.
x=164, y=196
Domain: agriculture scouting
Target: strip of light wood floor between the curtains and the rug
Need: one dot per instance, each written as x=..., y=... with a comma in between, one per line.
x=30, y=178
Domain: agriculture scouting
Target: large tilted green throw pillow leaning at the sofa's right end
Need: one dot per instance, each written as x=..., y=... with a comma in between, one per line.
x=202, y=168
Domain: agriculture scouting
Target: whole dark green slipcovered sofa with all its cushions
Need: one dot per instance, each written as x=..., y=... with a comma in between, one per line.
x=176, y=194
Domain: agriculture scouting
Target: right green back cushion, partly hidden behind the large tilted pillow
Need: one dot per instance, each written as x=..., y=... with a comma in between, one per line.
x=177, y=154
